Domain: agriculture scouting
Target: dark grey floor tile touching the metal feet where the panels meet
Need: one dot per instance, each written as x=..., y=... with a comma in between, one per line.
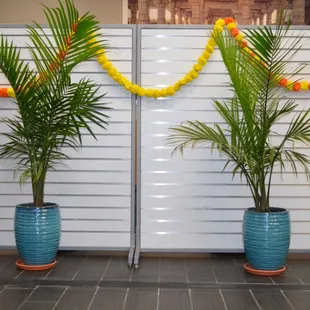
x=148, y=270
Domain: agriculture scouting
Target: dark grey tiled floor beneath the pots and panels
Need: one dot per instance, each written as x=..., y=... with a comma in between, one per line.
x=81, y=282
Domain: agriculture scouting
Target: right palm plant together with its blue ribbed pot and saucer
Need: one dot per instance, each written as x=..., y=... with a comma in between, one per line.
x=249, y=139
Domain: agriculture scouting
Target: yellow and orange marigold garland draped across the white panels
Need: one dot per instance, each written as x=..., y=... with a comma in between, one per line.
x=231, y=26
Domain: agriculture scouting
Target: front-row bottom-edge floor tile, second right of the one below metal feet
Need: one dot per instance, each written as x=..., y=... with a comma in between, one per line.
x=207, y=300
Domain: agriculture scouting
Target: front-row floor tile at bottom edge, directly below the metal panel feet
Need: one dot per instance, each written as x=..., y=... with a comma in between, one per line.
x=142, y=299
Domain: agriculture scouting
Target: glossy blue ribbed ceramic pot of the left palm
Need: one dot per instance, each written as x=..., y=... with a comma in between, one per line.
x=37, y=232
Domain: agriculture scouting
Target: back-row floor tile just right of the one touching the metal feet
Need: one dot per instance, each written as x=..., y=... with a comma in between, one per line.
x=172, y=270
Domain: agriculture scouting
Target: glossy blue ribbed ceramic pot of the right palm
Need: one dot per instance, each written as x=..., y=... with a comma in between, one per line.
x=266, y=238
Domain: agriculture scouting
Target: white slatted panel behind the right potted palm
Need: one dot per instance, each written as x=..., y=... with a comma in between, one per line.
x=187, y=203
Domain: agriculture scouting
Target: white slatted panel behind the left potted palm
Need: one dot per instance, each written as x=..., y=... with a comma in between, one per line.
x=95, y=191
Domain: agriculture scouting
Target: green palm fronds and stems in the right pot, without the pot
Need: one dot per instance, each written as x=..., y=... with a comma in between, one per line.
x=248, y=138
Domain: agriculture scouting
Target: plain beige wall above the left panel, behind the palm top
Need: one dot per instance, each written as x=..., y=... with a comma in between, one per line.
x=25, y=11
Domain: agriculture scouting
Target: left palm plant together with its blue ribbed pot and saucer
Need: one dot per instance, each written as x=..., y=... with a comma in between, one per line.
x=52, y=113
